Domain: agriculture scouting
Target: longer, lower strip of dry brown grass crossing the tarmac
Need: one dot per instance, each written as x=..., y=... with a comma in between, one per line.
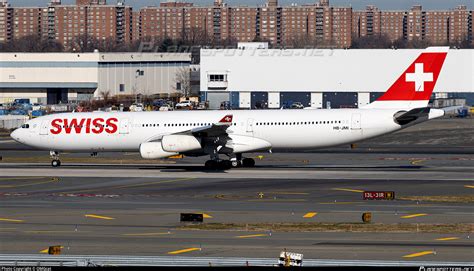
x=335, y=227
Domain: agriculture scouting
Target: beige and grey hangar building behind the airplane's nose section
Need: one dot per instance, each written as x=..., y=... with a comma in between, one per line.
x=51, y=78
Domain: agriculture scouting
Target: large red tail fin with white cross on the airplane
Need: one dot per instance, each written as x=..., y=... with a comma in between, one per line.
x=415, y=86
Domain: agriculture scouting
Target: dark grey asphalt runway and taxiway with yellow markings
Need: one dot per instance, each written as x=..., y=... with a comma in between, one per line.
x=128, y=207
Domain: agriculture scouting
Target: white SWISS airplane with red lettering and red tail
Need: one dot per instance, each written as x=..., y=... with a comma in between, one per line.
x=233, y=133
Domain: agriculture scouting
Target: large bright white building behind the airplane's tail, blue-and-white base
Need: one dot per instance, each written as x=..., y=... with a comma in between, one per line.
x=254, y=76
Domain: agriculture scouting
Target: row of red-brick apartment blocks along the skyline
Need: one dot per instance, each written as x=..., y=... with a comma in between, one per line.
x=294, y=25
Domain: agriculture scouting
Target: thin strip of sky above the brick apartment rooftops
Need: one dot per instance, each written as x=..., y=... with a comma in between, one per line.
x=356, y=4
